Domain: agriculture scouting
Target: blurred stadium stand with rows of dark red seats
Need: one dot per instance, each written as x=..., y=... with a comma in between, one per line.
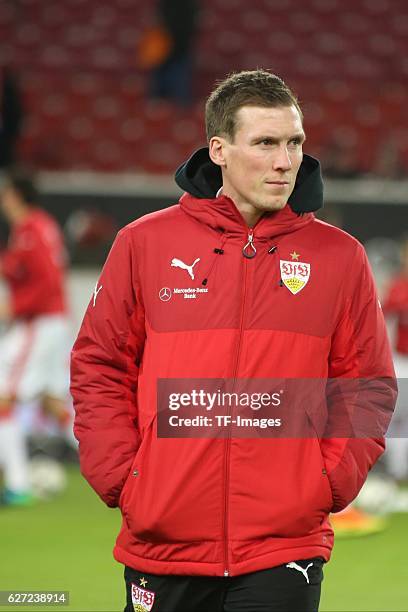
x=86, y=101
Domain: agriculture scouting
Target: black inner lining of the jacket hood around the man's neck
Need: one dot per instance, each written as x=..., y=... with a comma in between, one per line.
x=201, y=178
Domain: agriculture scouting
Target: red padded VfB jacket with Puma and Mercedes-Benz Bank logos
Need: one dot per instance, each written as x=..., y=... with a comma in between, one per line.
x=232, y=505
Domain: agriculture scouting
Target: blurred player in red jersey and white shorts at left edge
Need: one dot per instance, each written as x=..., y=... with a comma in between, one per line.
x=34, y=350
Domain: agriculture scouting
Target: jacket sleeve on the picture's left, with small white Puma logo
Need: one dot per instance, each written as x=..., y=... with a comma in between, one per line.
x=104, y=372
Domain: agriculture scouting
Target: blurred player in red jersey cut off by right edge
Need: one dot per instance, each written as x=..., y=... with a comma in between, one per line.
x=396, y=305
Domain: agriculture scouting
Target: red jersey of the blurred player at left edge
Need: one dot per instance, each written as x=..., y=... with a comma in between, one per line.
x=33, y=266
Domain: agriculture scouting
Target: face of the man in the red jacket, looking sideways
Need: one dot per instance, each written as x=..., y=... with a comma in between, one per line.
x=260, y=165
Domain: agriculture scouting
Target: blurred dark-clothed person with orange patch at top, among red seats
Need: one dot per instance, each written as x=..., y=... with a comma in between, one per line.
x=168, y=50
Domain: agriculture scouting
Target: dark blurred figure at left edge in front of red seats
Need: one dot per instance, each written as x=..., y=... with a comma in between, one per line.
x=11, y=116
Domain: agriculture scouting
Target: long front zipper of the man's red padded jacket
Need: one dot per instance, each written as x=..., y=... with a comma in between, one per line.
x=235, y=372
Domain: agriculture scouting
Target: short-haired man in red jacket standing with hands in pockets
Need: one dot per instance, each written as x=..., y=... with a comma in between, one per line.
x=237, y=282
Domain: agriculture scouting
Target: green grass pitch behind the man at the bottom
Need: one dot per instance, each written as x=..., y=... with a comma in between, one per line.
x=66, y=544
